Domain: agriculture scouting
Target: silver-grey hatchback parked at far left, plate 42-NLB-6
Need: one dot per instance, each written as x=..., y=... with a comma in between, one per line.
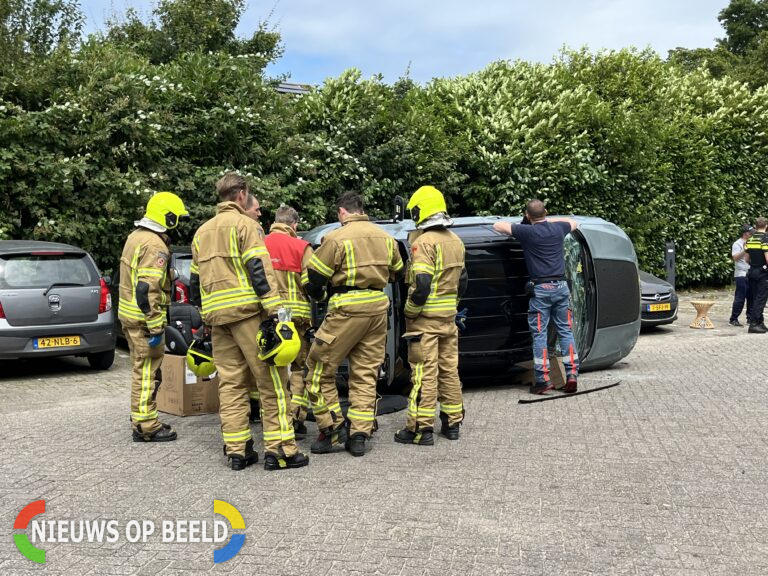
x=54, y=302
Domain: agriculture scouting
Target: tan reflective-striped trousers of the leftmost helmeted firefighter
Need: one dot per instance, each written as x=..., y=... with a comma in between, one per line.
x=145, y=378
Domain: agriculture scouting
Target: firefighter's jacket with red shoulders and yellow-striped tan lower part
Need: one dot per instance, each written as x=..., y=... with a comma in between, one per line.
x=290, y=256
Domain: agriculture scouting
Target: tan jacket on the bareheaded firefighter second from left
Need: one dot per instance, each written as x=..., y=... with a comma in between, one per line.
x=231, y=273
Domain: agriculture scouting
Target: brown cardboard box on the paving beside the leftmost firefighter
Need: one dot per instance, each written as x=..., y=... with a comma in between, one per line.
x=184, y=394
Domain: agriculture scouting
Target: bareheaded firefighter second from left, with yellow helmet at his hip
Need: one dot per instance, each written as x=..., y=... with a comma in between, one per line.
x=233, y=281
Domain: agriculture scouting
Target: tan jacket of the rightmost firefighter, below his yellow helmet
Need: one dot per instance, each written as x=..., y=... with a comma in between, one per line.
x=436, y=274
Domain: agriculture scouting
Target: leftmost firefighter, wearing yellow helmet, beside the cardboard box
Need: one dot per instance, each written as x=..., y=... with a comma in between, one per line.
x=145, y=293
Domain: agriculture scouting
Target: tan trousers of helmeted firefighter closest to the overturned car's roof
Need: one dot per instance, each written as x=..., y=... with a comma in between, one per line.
x=433, y=353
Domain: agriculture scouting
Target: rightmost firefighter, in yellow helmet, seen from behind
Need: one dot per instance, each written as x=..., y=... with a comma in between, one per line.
x=437, y=279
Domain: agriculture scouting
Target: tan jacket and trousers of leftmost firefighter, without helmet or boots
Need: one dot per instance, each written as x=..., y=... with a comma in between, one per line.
x=145, y=258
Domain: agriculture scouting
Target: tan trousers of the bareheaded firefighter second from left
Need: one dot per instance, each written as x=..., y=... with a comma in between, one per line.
x=236, y=357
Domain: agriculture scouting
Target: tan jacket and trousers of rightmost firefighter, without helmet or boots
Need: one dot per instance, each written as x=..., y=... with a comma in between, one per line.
x=431, y=331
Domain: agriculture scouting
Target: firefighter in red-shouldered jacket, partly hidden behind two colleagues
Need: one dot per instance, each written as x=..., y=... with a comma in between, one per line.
x=290, y=256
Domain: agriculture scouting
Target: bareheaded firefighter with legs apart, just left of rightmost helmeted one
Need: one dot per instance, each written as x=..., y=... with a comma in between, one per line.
x=358, y=259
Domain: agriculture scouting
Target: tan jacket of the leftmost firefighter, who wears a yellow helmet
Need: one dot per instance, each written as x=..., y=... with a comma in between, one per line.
x=145, y=285
